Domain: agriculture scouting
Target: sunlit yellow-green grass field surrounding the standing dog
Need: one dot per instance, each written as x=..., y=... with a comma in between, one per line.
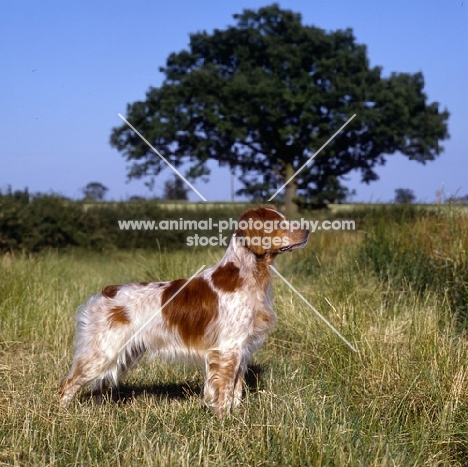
x=397, y=290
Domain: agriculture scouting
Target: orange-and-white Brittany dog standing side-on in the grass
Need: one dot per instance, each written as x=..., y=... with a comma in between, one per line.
x=219, y=318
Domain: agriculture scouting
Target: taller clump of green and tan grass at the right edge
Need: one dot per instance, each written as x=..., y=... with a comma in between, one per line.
x=424, y=253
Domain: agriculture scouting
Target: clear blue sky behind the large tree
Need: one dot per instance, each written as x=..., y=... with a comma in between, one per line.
x=68, y=68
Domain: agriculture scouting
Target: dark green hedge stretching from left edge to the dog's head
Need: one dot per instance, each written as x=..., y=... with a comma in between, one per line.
x=33, y=223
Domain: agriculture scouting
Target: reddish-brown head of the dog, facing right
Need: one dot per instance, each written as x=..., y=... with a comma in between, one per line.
x=264, y=230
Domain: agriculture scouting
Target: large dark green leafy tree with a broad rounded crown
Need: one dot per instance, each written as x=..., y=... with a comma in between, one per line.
x=265, y=94
